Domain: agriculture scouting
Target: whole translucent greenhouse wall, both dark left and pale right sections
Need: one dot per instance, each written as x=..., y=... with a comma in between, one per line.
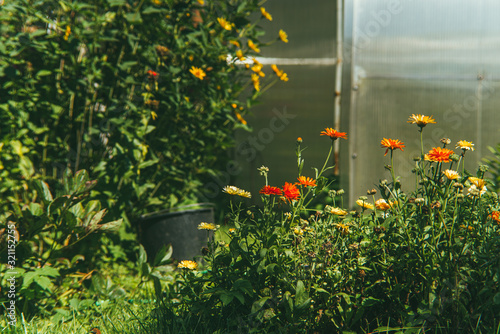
x=400, y=57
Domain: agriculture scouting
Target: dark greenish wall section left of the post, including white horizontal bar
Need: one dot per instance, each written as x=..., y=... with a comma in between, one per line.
x=301, y=107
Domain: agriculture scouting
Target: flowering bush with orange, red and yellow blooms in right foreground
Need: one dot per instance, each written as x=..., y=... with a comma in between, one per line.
x=423, y=261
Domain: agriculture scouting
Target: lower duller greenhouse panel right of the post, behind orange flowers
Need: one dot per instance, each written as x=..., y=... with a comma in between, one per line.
x=382, y=110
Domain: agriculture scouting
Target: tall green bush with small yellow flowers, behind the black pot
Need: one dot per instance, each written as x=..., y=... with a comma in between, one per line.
x=145, y=95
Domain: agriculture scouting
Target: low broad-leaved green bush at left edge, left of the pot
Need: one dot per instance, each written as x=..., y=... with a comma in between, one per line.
x=39, y=260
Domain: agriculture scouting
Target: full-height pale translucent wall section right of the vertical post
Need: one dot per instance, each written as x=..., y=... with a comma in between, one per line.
x=439, y=58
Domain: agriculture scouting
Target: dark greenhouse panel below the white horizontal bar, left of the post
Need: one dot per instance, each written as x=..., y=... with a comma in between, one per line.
x=301, y=107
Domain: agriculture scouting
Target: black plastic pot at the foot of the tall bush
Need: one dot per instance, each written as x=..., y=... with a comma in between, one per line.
x=179, y=228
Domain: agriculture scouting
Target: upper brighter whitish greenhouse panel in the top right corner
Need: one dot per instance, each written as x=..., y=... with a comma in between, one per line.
x=447, y=39
